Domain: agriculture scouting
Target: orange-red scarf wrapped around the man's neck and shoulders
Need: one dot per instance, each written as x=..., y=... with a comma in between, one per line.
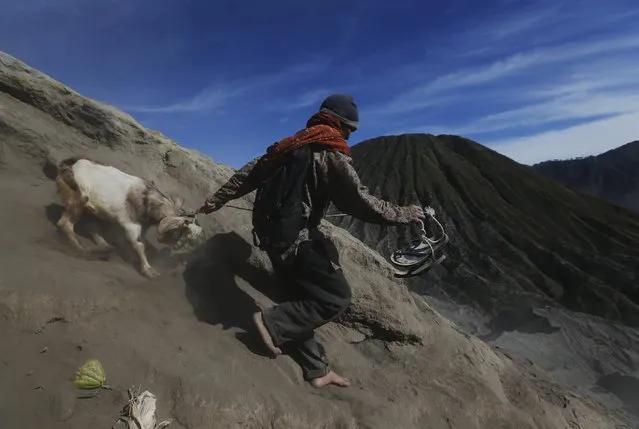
x=322, y=129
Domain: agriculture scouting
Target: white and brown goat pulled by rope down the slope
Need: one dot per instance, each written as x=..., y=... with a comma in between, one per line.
x=130, y=201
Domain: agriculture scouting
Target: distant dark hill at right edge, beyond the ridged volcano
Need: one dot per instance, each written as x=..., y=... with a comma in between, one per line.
x=612, y=175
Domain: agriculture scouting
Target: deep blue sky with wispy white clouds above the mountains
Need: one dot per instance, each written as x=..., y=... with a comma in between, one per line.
x=534, y=80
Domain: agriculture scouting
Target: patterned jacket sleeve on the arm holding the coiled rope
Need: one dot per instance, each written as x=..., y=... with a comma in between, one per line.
x=352, y=198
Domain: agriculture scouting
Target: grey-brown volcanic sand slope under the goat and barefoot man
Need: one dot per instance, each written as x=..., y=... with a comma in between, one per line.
x=182, y=336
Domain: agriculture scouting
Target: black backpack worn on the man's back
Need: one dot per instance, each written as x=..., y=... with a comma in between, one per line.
x=278, y=208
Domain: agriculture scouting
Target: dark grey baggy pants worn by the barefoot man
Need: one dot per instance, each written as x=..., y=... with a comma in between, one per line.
x=315, y=292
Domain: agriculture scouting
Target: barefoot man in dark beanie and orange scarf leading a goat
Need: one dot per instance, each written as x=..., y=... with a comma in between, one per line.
x=309, y=272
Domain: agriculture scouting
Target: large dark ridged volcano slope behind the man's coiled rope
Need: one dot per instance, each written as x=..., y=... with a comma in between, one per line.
x=518, y=238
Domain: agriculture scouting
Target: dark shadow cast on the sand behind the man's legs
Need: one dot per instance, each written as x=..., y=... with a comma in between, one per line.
x=212, y=290
